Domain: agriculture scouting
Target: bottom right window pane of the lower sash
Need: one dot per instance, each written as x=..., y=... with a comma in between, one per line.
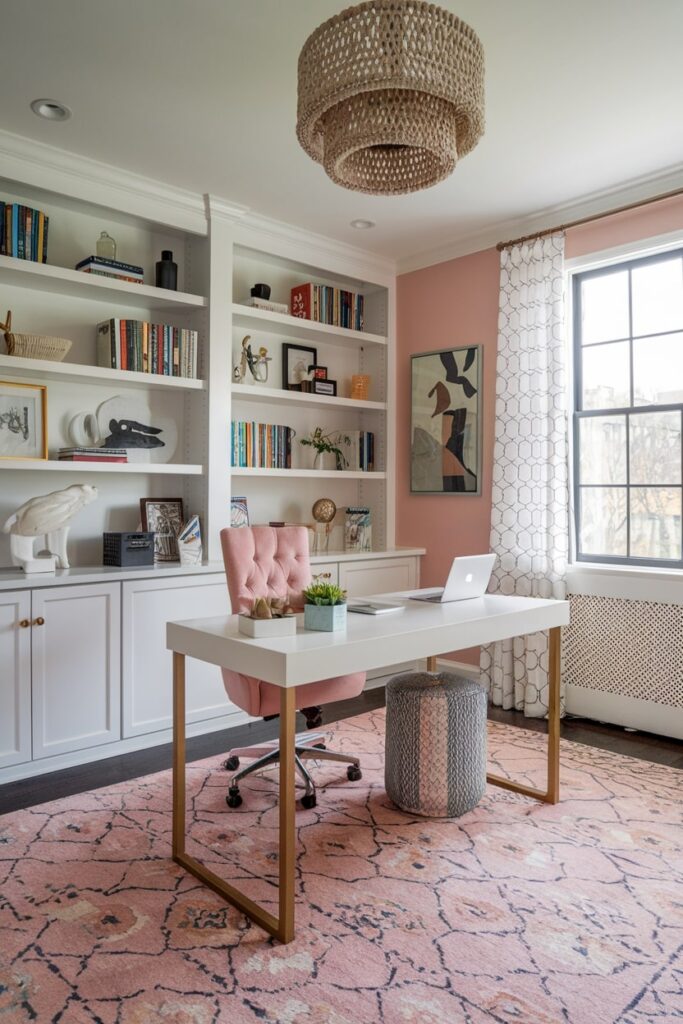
x=656, y=523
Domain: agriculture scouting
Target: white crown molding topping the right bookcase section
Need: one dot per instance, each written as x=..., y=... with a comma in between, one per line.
x=290, y=242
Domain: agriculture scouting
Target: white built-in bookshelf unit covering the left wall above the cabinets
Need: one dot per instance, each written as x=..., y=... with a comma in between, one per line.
x=222, y=253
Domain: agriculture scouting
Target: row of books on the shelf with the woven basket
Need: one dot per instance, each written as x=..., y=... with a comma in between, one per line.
x=148, y=349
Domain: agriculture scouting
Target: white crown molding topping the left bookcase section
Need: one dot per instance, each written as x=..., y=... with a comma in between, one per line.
x=48, y=167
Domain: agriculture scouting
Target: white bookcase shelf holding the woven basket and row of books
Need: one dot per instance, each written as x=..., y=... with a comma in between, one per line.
x=76, y=373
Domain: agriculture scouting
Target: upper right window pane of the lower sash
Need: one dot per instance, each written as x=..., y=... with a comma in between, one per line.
x=655, y=448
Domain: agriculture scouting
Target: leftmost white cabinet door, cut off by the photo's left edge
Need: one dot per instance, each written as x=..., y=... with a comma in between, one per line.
x=15, y=678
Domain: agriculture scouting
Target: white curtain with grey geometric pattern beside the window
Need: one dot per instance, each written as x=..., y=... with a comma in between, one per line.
x=530, y=518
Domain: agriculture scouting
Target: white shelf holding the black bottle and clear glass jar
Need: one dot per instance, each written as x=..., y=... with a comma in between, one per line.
x=61, y=281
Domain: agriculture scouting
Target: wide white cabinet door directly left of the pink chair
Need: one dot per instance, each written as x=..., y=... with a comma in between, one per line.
x=148, y=606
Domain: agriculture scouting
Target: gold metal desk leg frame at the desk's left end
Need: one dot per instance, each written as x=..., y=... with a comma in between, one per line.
x=282, y=929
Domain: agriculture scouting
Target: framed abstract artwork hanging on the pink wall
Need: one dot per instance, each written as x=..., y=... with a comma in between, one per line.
x=446, y=422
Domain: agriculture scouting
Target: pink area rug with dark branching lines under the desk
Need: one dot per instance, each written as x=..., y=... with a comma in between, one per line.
x=516, y=913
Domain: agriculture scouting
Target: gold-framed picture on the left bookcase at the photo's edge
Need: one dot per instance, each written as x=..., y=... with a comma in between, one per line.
x=23, y=421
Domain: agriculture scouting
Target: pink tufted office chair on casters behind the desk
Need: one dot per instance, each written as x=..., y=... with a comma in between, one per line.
x=265, y=562
